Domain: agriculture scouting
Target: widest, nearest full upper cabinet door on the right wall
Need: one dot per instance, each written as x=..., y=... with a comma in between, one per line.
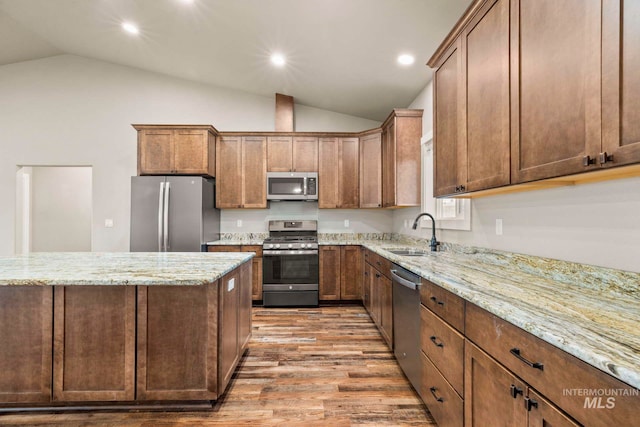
x=556, y=99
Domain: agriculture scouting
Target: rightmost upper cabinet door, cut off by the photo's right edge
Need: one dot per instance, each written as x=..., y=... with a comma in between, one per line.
x=621, y=81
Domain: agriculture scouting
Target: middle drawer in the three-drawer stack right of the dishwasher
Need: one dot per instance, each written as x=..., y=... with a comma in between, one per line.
x=444, y=346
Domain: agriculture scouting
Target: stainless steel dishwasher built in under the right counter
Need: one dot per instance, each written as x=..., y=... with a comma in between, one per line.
x=406, y=323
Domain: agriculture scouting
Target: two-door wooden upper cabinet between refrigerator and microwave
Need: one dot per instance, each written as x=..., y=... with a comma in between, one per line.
x=241, y=165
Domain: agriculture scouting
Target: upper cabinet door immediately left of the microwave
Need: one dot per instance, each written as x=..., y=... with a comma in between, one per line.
x=254, y=172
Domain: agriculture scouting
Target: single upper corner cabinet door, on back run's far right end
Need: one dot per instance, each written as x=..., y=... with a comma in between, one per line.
x=371, y=171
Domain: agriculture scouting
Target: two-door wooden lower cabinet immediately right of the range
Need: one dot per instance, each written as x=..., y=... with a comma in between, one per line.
x=340, y=272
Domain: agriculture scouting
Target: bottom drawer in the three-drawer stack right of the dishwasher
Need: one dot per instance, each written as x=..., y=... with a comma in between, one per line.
x=443, y=402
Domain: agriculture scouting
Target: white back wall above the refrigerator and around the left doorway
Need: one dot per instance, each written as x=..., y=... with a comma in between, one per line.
x=70, y=110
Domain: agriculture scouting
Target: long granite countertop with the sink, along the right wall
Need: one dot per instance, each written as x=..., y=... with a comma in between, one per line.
x=590, y=312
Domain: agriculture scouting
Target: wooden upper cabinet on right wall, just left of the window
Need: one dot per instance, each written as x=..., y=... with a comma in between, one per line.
x=401, y=158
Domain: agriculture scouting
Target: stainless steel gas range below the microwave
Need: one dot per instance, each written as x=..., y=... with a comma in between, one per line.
x=290, y=264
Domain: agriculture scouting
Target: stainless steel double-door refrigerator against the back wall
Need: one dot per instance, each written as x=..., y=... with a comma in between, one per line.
x=173, y=213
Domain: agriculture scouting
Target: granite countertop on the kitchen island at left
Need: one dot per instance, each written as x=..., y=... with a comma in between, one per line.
x=118, y=268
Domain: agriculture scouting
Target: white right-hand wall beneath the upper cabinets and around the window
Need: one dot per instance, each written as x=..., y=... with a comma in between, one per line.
x=592, y=223
